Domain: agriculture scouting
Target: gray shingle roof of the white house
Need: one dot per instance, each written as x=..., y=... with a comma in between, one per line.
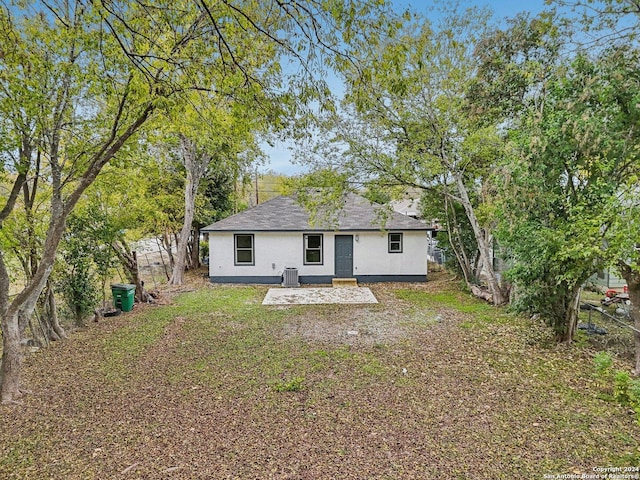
x=286, y=214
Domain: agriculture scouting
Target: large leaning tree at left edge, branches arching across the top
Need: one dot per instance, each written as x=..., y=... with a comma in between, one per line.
x=93, y=75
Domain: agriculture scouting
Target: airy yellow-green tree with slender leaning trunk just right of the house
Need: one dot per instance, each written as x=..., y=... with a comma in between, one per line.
x=406, y=122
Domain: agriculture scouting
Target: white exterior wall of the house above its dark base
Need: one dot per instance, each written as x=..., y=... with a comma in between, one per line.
x=274, y=251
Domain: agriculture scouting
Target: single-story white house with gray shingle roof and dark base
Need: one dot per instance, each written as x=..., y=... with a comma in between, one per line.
x=257, y=245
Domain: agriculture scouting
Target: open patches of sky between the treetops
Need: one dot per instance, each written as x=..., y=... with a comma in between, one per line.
x=279, y=157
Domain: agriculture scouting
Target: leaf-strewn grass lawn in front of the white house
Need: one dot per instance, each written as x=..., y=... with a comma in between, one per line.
x=429, y=383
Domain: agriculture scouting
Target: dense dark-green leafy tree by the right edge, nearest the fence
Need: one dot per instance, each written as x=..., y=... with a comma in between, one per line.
x=571, y=116
